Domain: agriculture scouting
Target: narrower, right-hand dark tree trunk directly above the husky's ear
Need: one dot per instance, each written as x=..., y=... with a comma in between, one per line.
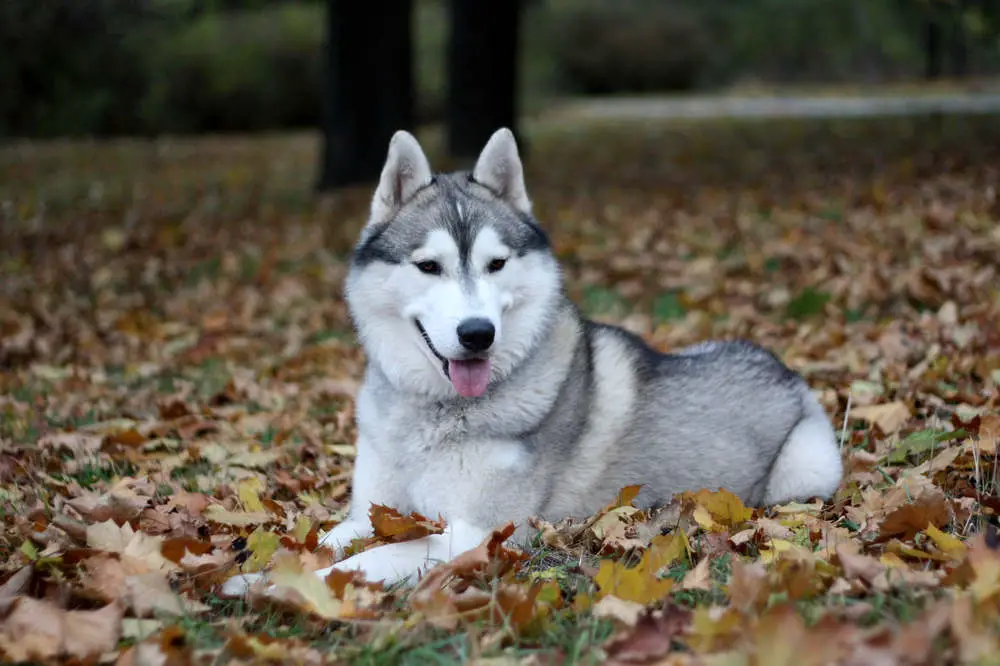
x=482, y=73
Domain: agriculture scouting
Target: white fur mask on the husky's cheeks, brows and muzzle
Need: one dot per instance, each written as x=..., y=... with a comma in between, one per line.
x=386, y=298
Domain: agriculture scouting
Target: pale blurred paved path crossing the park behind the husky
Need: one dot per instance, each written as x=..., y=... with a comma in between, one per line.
x=656, y=108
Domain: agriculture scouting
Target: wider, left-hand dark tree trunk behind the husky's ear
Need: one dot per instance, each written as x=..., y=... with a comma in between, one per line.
x=367, y=87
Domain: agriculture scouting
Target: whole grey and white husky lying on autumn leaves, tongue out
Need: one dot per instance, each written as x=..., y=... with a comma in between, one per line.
x=489, y=398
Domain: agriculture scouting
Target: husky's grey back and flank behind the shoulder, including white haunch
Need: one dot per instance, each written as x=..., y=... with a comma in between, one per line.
x=720, y=414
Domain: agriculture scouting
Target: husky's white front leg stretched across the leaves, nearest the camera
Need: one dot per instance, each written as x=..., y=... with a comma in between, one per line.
x=402, y=562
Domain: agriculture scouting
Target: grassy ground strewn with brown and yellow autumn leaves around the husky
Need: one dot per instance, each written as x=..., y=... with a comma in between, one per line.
x=177, y=375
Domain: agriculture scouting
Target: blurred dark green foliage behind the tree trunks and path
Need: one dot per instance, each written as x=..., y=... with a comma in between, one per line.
x=153, y=66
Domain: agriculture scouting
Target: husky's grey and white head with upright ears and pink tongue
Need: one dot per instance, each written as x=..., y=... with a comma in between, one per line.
x=452, y=283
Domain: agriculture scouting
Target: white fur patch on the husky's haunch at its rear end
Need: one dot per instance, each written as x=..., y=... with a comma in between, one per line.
x=809, y=463
